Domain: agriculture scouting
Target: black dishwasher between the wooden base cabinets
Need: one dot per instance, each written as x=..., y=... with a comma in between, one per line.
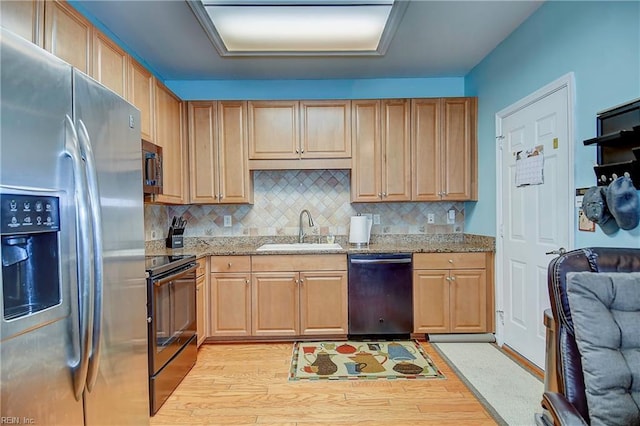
x=380, y=295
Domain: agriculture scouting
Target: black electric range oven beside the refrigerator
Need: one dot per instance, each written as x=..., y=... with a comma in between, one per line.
x=171, y=305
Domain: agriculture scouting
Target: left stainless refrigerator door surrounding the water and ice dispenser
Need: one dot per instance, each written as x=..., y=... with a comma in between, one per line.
x=39, y=351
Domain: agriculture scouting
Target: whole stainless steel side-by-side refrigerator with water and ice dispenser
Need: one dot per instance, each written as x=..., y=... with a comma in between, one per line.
x=73, y=341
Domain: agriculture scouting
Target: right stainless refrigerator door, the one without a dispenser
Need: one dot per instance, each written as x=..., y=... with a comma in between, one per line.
x=117, y=385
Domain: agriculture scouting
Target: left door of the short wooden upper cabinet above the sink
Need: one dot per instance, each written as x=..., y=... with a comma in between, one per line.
x=273, y=130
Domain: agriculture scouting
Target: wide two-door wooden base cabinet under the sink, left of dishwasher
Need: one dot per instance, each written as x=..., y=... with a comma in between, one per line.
x=299, y=295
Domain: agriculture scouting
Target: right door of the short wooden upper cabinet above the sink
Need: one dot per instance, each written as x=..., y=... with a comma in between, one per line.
x=326, y=129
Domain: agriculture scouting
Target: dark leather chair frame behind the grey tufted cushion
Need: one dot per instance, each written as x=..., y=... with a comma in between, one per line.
x=568, y=405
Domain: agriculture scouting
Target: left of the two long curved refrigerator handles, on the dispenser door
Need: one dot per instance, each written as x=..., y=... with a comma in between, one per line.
x=83, y=254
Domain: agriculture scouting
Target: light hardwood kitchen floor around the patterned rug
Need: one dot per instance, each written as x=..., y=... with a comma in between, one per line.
x=248, y=384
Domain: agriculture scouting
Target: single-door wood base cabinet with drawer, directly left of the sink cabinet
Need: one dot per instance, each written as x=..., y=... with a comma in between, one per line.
x=230, y=296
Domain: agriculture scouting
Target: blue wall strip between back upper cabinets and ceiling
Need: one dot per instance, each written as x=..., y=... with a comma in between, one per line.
x=318, y=89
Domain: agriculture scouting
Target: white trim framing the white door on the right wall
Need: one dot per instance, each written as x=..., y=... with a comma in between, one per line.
x=568, y=81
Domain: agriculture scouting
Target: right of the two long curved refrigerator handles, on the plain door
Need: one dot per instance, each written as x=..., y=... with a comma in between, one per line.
x=98, y=267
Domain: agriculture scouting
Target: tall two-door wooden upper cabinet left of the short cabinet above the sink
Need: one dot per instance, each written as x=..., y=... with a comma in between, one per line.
x=218, y=162
